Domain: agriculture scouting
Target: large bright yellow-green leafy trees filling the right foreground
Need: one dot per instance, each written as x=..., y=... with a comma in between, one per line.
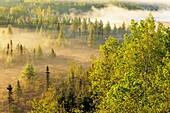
x=139, y=83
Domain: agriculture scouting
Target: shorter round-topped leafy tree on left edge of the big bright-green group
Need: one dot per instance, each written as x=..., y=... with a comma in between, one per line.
x=101, y=71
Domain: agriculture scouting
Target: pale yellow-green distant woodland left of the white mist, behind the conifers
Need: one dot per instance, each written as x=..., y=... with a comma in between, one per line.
x=18, y=12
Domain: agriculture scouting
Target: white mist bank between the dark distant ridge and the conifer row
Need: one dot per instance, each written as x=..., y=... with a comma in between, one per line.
x=116, y=15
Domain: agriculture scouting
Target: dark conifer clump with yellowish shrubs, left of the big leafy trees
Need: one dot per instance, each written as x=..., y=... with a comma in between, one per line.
x=71, y=95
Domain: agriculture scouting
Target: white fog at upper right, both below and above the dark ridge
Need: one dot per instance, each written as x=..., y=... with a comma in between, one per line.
x=116, y=15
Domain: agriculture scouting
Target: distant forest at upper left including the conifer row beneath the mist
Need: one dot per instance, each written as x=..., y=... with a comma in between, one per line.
x=50, y=16
